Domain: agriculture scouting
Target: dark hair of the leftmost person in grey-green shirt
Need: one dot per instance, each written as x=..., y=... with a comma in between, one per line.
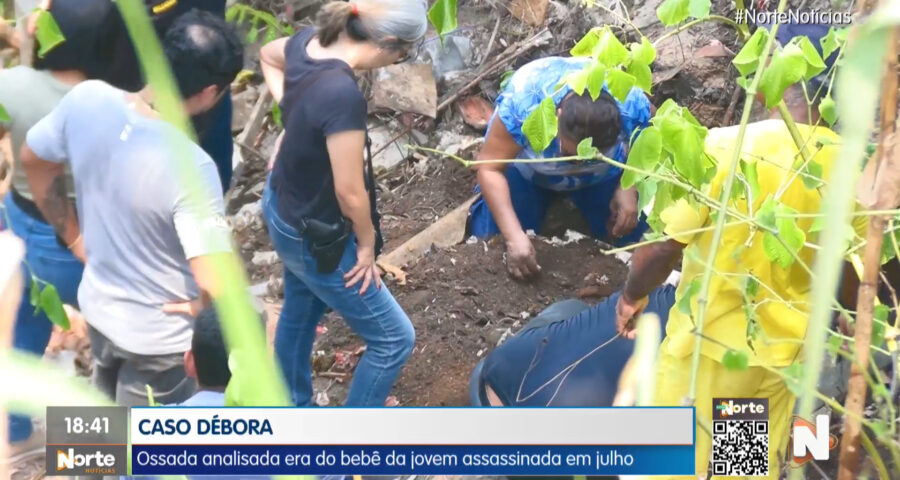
x=79, y=22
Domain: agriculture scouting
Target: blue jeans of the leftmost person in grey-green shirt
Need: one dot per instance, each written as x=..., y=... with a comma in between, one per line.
x=52, y=263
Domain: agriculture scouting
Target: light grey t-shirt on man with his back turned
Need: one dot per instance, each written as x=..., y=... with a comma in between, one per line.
x=138, y=228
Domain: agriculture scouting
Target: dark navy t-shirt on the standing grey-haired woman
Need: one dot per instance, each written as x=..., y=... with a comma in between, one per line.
x=321, y=98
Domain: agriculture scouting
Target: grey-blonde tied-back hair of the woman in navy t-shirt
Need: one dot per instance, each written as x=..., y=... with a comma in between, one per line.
x=402, y=20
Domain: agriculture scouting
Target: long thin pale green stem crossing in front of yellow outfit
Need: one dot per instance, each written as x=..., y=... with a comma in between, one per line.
x=702, y=296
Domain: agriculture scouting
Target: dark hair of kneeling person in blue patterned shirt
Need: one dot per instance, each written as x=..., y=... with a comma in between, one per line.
x=582, y=117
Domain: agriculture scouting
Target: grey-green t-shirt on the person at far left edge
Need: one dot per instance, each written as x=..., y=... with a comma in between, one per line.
x=28, y=95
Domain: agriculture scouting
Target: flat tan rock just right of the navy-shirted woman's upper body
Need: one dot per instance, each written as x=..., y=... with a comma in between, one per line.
x=405, y=87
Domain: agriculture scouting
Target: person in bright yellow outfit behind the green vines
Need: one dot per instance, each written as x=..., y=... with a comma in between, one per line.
x=782, y=301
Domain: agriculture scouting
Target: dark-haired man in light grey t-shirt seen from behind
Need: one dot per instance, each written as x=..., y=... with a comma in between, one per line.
x=145, y=244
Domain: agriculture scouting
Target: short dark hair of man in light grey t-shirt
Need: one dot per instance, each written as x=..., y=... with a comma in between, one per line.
x=203, y=50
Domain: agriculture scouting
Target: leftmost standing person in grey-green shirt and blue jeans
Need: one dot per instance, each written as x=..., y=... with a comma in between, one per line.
x=28, y=94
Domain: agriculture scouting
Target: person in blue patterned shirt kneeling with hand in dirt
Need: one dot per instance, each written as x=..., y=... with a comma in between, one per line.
x=515, y=199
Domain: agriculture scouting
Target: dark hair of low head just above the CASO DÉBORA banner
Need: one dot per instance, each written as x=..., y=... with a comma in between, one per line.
x=208, y=348
